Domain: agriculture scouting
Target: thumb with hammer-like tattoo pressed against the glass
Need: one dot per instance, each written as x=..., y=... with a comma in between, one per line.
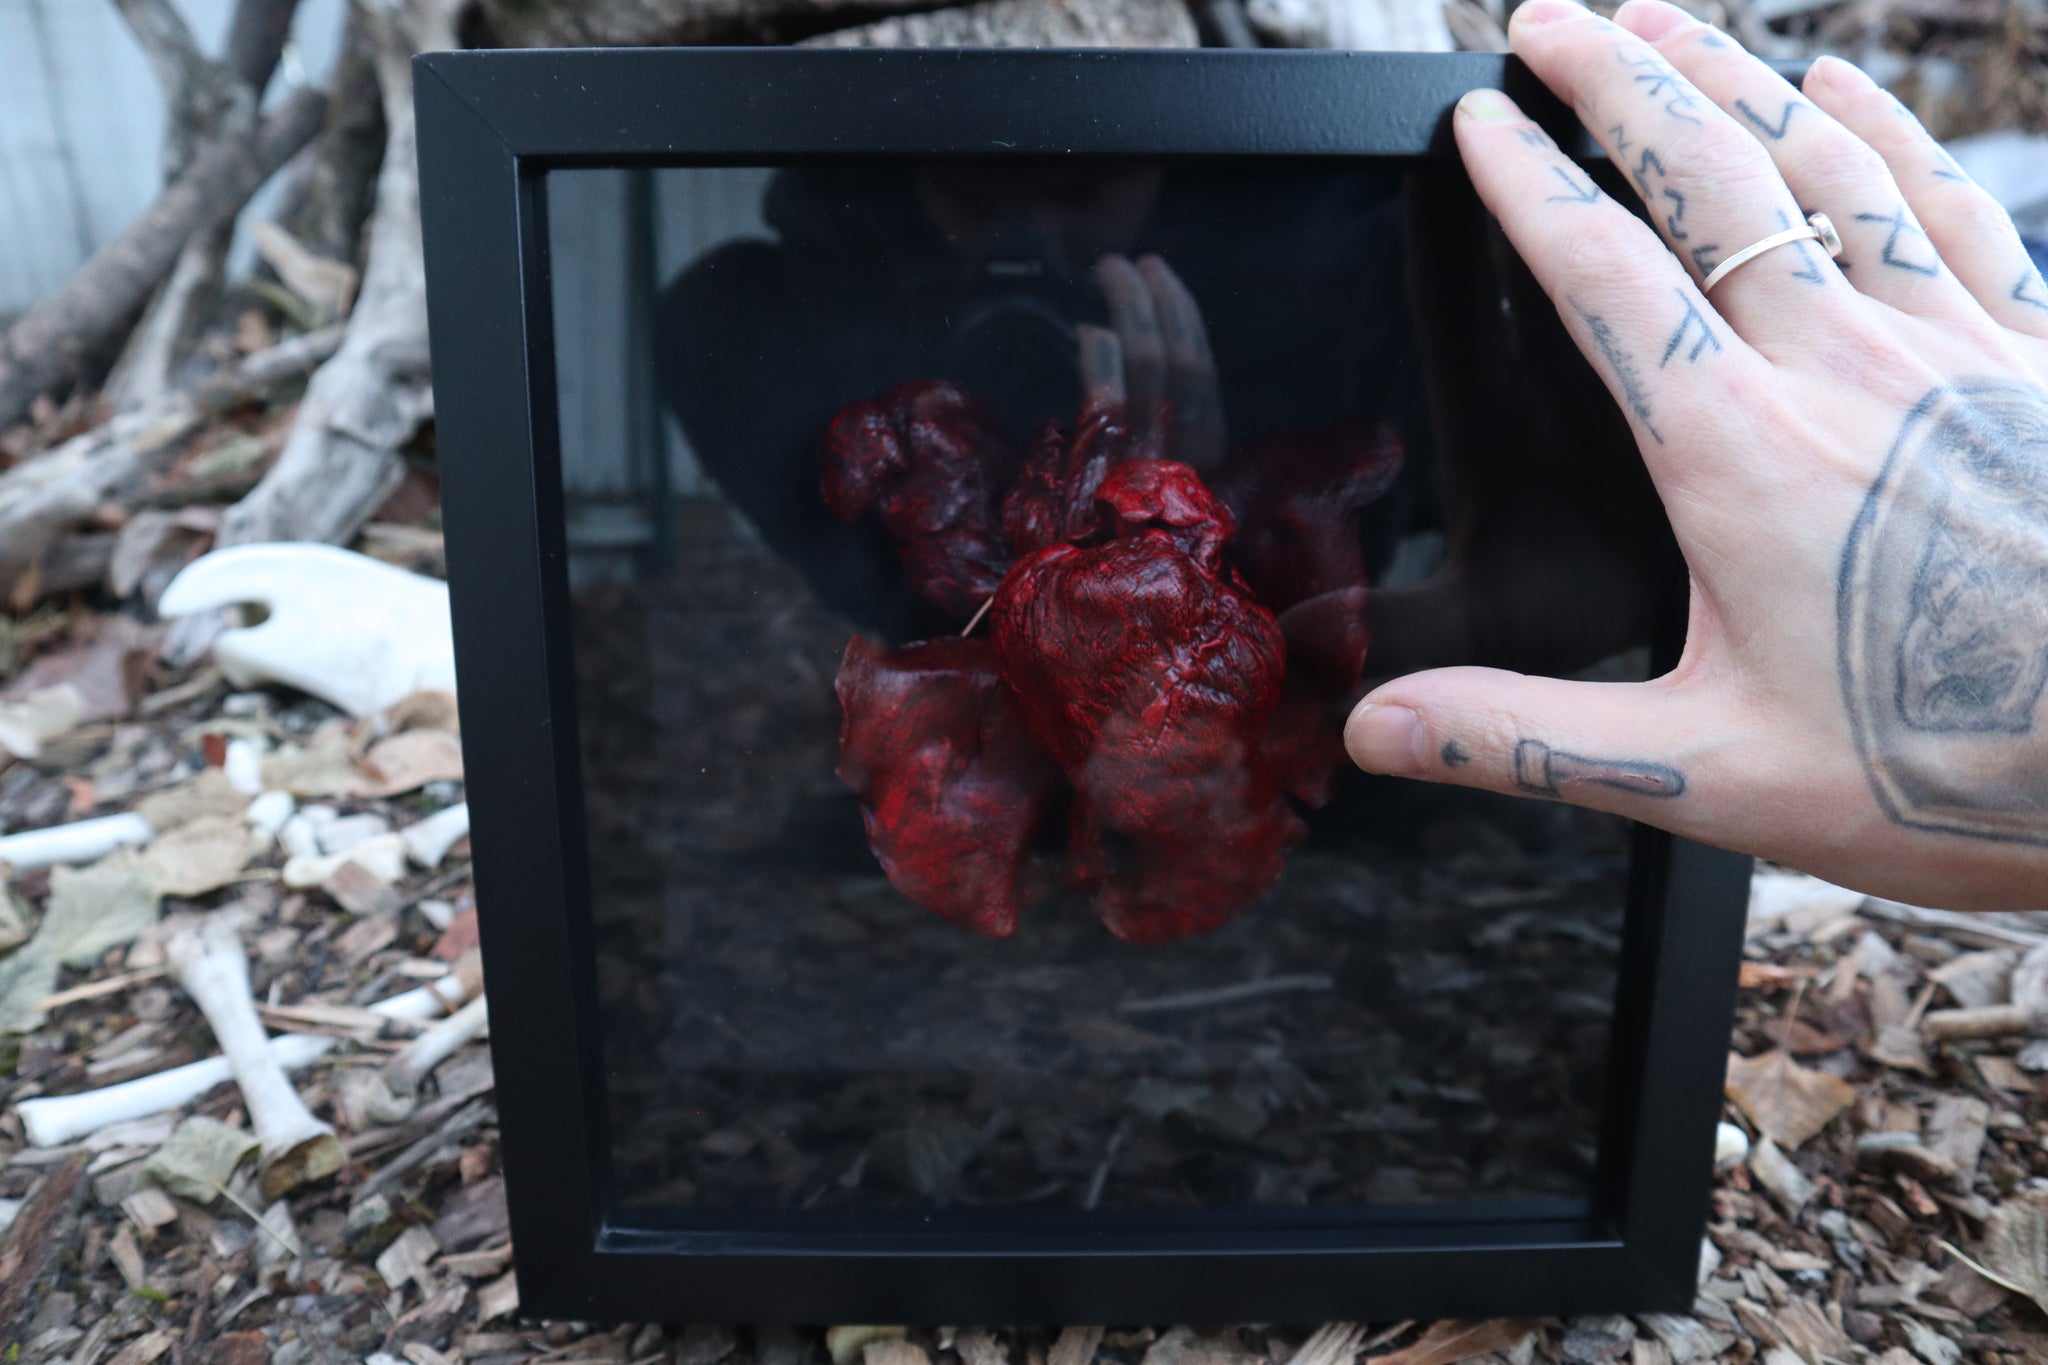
x=1621, y=748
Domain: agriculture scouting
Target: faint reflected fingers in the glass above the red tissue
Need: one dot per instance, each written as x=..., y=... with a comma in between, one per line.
x=1156, y=349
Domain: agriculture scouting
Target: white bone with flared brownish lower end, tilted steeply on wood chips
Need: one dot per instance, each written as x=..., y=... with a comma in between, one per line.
x=208, y=959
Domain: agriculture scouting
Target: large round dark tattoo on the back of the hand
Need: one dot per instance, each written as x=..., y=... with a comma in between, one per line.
x=1943, y=611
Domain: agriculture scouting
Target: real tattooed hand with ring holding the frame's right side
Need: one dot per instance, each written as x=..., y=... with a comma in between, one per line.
x=1854, y=459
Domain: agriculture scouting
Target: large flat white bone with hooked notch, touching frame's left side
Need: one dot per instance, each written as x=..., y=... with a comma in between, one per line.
x=341, y=625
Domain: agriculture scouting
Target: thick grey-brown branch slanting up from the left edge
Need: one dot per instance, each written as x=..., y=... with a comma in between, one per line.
x=52, y=341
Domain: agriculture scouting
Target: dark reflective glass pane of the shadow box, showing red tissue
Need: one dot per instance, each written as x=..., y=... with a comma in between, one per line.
x=972, y=568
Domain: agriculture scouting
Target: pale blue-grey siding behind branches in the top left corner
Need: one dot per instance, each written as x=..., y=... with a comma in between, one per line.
x=83, y=124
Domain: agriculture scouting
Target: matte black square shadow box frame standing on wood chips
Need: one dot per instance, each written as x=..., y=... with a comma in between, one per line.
x=490, y=126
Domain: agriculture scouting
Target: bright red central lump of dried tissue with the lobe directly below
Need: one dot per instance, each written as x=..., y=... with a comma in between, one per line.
x=1150, y=676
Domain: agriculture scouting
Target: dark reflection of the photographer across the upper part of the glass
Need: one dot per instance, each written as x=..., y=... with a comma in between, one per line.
x=1033, y=285
